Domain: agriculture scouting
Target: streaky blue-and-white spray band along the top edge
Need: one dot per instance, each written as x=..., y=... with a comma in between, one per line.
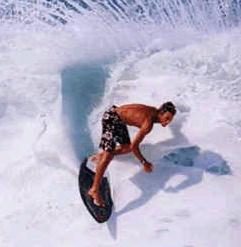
x=202, y=15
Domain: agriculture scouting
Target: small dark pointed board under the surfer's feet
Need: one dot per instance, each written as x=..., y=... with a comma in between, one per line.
x=86, y=176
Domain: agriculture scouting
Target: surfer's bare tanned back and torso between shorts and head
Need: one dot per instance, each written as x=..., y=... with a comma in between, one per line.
x=137, y=114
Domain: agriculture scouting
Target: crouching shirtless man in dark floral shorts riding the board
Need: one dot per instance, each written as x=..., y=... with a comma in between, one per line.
x=114, y=124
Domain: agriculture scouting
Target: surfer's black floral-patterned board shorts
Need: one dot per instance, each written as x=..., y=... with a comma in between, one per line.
x=114, y=130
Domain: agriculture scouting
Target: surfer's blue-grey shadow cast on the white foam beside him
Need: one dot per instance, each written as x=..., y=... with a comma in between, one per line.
x=189, y=161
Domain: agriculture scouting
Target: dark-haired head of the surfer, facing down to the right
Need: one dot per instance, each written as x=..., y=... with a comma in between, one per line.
x=166, y=113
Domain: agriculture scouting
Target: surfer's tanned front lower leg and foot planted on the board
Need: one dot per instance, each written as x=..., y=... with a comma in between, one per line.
x=94, y=191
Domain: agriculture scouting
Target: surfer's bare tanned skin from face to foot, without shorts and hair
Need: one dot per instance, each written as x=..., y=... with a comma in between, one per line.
x=140, y=116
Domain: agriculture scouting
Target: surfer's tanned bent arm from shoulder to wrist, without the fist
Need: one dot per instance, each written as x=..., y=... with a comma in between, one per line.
x=144, y=130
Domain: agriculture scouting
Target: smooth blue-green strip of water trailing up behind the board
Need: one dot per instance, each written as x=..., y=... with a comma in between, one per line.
x=82, y=88
